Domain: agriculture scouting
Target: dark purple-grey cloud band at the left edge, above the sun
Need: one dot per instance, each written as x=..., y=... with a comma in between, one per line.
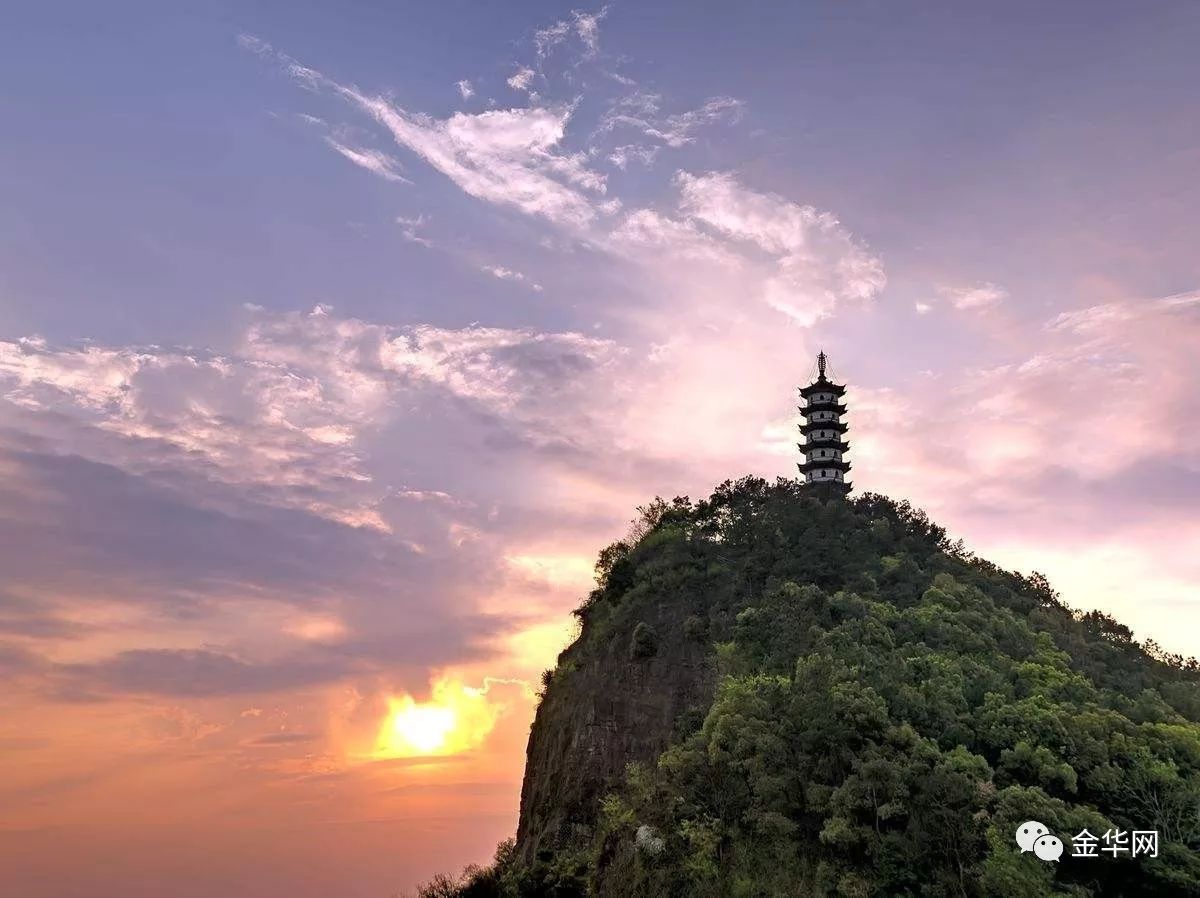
x=159, y=535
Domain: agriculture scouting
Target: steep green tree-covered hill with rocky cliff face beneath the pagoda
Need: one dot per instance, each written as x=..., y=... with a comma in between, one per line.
x=879, y=711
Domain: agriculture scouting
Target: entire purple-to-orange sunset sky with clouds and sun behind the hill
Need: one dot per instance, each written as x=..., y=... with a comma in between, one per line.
x=338, y=339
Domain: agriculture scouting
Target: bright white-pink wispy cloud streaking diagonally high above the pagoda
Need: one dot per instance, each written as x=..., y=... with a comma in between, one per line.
x=515, y=158
